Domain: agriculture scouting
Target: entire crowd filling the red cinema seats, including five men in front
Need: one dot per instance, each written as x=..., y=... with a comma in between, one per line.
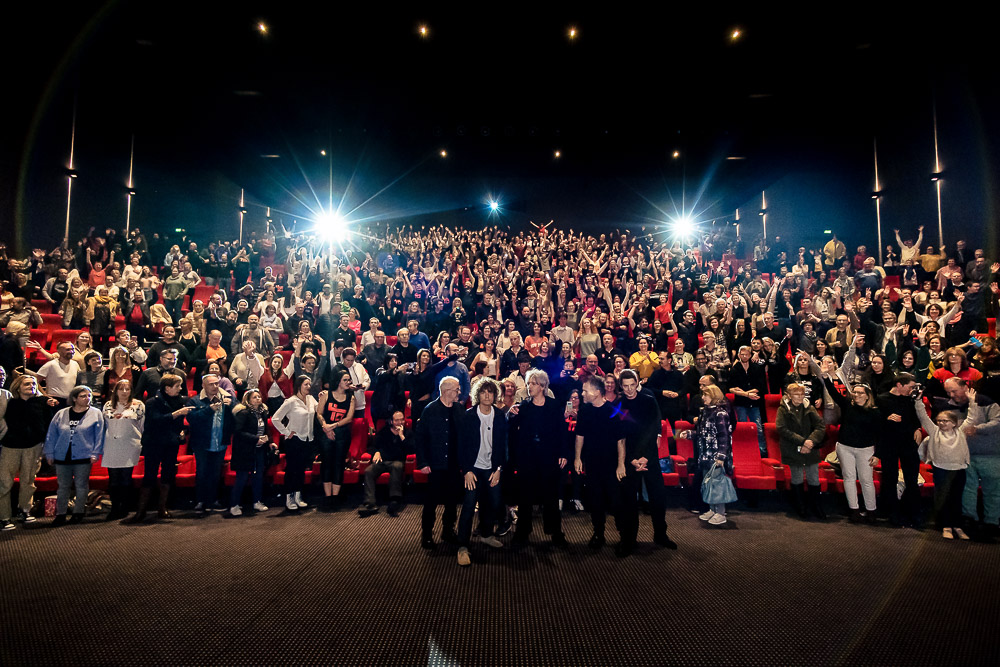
x=500, y=371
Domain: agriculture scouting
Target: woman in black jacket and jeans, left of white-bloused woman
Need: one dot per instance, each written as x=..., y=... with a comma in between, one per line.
x=251, y=444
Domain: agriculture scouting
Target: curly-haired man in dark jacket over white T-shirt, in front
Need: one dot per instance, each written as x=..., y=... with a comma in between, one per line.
x=482, y=451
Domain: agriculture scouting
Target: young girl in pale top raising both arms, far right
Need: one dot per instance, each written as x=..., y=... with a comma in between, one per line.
x=947, y=450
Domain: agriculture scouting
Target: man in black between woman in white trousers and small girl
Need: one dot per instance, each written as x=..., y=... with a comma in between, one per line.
x=897, y=449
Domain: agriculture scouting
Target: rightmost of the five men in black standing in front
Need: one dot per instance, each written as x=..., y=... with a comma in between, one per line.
x=641, y=420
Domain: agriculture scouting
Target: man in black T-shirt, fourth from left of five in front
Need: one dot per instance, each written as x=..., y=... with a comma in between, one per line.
x=600, y=444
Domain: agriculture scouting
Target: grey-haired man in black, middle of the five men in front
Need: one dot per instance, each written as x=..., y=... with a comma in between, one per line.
x=540, y=453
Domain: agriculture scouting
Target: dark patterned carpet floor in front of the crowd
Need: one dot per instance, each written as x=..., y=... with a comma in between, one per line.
x=325, y=589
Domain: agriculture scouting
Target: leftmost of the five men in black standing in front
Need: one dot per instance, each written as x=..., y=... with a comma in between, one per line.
x=437, y=457
